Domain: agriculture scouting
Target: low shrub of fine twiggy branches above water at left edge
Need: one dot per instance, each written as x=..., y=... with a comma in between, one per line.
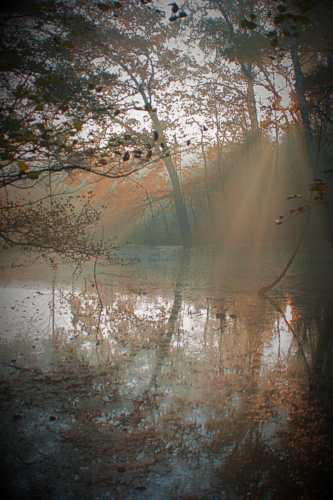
x=55, y=227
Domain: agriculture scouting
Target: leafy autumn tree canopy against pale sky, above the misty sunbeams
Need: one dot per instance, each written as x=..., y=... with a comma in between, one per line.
x=110, y=90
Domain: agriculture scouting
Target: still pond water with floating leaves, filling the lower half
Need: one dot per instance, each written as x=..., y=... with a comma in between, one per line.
x=168, y=377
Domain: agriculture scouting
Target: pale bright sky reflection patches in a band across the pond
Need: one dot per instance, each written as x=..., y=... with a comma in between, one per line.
x=26, y=313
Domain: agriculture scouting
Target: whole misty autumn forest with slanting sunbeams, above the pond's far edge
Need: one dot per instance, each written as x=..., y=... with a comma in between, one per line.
x=156, y=123
